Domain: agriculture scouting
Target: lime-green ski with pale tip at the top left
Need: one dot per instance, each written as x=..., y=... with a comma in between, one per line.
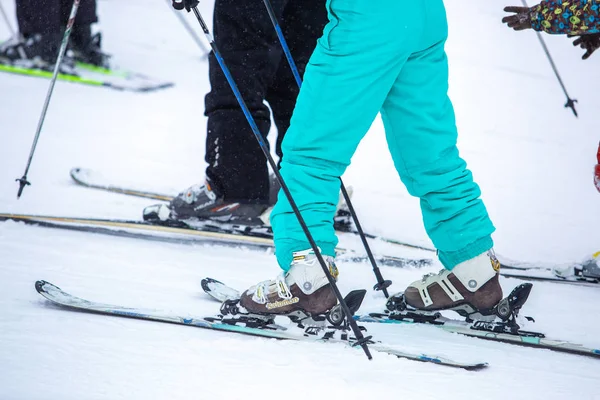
x=91, y=75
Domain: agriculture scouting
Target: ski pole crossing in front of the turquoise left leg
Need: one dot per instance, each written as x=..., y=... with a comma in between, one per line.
x=361, y=340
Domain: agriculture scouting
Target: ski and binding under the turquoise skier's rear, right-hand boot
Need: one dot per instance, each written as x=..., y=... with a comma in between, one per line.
x=500, y=326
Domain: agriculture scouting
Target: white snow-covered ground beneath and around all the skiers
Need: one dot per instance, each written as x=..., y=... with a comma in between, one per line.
x=532, y=158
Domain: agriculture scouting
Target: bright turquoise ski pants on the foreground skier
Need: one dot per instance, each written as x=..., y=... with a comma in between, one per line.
x=384, y=56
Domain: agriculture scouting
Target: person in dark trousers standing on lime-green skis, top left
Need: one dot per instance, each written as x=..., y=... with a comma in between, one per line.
x=42, y=25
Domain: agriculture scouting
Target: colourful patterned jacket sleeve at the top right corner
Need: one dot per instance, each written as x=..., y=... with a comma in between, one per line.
x=573, y=17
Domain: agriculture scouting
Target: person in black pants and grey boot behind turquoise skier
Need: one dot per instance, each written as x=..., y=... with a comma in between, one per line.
x=237, y=183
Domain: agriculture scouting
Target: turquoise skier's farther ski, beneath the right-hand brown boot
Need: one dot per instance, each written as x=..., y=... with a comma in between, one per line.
x=494, y=331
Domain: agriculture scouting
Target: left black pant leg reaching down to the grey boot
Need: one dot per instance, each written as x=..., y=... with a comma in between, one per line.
x=248, y=44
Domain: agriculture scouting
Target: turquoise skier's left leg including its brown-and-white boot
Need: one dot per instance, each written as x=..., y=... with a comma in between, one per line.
x=347, y=79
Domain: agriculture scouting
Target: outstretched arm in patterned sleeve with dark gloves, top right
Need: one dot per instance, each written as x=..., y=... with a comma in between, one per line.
x=576, y=18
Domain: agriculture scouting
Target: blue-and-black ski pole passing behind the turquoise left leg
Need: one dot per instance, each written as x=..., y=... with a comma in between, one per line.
x=381, y=283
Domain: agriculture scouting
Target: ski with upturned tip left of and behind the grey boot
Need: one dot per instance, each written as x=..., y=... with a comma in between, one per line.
x=91, y=179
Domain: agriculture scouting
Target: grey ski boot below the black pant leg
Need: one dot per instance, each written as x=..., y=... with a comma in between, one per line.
x=204, y=202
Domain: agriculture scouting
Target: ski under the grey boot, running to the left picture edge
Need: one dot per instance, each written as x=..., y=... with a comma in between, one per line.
x=178, y=232
